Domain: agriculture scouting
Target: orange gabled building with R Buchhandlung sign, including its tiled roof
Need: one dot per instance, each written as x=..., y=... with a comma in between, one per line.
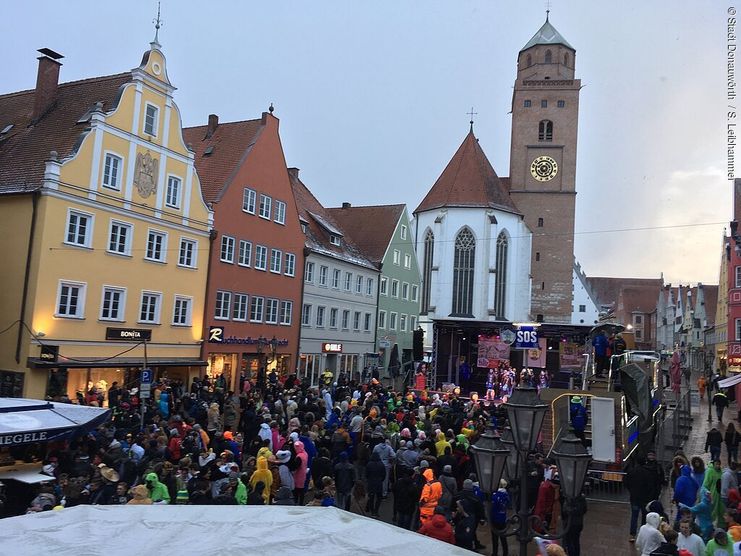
x=254, y=287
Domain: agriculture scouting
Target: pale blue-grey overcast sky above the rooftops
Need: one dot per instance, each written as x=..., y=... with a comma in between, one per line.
x=373, y=96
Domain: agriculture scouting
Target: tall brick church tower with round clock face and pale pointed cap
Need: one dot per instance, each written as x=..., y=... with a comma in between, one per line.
x=545, y=113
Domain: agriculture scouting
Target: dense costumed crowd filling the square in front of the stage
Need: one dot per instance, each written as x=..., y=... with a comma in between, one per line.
x=348, y=445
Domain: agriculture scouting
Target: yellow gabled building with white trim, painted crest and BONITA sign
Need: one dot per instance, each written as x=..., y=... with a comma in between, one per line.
x=103, y=227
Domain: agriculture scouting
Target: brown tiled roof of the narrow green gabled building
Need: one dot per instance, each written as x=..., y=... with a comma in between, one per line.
x=371, y=228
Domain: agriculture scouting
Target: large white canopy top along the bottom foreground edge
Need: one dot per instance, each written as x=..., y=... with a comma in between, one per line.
x=206, y=530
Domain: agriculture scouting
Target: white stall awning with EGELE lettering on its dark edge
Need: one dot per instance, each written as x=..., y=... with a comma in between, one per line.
x=25, y=421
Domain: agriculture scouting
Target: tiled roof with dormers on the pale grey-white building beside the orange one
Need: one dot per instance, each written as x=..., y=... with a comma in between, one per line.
x=317, y=237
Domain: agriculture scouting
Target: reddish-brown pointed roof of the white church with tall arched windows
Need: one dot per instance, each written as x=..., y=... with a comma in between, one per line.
x=469, y=180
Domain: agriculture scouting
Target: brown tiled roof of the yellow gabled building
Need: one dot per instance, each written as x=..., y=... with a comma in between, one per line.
x=26, y=147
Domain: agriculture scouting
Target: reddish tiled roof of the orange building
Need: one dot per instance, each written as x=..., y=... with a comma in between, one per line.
x=228, y=145
